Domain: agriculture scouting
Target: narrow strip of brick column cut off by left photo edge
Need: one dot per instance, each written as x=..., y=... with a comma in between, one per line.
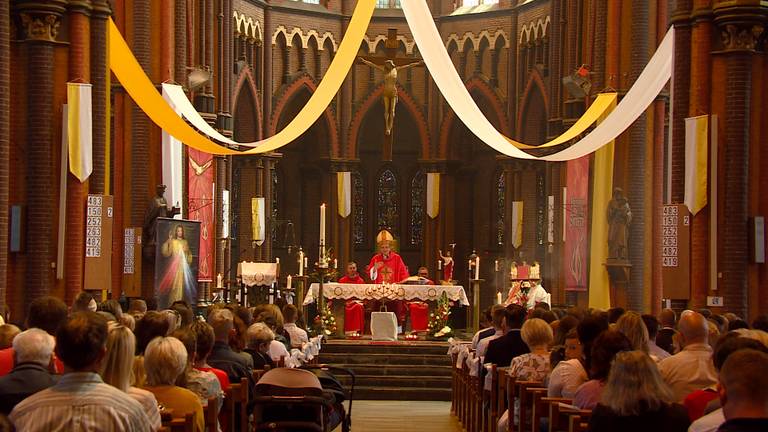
x=5, y=132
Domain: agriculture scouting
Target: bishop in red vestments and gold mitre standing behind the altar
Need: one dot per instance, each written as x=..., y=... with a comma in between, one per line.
x=388, y=267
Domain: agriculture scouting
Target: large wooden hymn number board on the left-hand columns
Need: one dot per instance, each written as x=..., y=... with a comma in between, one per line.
x=98, y=243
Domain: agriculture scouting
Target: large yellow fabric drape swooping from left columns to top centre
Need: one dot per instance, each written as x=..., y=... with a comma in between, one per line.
x=138, y=85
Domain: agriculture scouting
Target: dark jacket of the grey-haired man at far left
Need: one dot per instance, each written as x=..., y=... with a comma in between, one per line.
x=23, y=381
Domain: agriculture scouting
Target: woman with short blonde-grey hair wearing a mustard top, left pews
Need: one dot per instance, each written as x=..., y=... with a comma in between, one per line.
x=165, y=359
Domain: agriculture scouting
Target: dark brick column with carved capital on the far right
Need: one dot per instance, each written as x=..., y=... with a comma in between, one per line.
x=741, y=29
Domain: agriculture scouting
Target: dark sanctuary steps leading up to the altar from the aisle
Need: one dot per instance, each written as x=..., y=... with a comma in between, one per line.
x=417, y=371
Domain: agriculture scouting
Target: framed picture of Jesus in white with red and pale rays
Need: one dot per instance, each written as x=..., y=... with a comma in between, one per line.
x=177, y=259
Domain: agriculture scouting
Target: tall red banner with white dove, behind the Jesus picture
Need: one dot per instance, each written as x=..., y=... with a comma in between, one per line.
x=200, y=192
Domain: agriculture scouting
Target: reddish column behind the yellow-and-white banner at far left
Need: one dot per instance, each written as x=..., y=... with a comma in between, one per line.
x=79, y=70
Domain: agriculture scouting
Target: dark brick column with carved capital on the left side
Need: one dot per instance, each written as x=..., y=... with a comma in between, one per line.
x=40, y=24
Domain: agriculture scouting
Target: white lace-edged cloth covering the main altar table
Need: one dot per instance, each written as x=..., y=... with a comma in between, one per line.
x=333, y=290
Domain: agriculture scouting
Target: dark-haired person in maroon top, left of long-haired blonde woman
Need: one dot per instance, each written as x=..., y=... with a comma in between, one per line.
x=604, y=349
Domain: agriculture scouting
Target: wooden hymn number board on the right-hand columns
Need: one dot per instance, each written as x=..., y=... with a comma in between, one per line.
x=675, y=251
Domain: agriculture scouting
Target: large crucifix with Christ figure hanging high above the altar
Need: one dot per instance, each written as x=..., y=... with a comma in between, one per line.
x=390, y=64
